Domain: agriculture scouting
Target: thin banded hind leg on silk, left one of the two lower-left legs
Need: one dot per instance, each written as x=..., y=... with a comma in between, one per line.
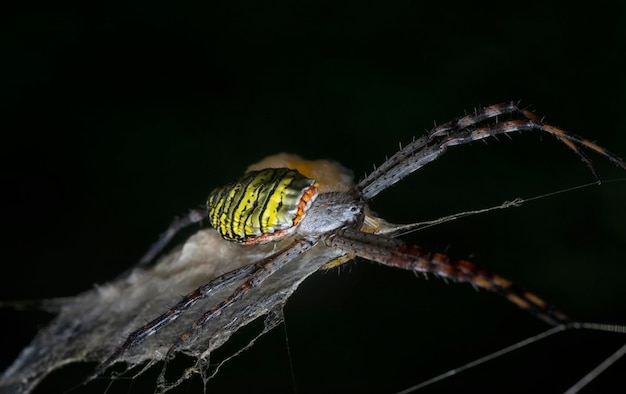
x=204, y=291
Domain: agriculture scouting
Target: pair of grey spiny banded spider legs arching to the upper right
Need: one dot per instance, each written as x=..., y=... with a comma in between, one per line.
x=461, y=131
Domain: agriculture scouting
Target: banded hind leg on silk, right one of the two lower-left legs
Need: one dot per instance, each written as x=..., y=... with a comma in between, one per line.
x=260, y=272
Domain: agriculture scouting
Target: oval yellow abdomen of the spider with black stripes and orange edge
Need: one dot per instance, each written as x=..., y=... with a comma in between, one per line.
x=261, y=206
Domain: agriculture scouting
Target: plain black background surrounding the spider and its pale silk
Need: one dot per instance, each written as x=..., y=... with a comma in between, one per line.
x=117, y=117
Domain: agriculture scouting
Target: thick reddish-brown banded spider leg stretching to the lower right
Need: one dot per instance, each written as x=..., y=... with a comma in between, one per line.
x=395, y=253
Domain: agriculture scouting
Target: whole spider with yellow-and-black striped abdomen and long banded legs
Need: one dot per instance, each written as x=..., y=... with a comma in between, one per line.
x=291, y=204
